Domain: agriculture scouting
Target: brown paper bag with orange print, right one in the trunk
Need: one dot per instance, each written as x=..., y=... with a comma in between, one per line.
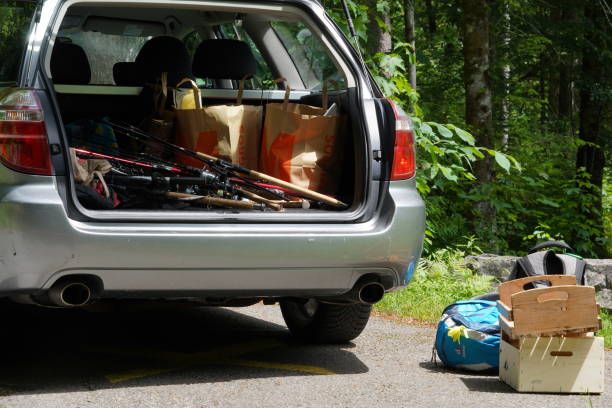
x=302, y=146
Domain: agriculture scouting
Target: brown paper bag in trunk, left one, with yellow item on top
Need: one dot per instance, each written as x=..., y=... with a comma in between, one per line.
x=230, y=132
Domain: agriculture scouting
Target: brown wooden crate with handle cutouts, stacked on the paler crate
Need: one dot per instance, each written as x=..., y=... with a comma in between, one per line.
x=559, y=310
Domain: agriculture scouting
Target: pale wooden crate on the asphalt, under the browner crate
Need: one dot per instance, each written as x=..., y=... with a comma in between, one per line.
x=553, y=364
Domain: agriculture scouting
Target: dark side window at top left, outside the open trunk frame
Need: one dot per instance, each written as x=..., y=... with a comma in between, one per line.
x=15, y=19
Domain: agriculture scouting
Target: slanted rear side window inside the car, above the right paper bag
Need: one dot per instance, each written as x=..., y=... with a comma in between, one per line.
x=309, y=54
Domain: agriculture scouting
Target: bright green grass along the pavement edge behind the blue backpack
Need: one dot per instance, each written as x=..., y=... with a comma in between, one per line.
x=442, y=279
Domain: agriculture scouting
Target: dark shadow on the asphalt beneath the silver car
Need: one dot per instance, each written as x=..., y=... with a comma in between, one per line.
x=138, y=344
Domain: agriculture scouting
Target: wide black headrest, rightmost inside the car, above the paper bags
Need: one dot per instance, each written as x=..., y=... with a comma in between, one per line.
x=224, y=59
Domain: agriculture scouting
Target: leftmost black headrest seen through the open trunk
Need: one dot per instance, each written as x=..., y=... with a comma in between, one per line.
x=69, y=64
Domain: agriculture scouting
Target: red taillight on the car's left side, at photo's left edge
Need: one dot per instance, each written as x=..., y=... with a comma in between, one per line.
x=23, y=139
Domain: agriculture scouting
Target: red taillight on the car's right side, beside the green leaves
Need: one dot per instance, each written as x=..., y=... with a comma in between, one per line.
x=404, y=166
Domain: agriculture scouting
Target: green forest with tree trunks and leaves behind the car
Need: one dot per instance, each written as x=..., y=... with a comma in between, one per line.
x=510, y=101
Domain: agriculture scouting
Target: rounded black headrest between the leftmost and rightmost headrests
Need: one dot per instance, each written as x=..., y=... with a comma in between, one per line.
x=163, y=54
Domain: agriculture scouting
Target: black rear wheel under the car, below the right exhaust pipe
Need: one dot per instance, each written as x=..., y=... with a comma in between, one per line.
x=319, y=322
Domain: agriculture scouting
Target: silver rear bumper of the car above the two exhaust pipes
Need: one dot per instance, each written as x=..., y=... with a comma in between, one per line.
x=39, y=244
